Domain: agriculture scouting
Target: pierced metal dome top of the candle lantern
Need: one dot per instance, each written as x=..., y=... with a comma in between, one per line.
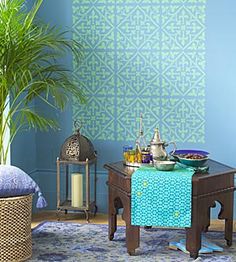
x=77, y=147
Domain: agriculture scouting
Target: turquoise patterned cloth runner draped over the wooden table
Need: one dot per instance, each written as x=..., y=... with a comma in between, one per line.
x=161, y=198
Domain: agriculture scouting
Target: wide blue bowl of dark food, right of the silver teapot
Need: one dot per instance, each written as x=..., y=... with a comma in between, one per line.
x=178, y=155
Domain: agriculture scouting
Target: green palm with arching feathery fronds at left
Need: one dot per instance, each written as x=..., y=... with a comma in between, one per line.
x=29, y=69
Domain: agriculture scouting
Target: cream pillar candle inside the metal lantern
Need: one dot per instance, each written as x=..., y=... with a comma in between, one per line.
x=77, y=190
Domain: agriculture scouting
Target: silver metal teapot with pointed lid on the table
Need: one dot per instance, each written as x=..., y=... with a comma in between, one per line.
x=157, y=147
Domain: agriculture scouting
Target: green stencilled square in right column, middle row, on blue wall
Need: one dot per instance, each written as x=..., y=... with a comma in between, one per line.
x=183, y=73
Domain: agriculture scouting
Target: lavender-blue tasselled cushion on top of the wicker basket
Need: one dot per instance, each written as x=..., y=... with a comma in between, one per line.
x=15, y=182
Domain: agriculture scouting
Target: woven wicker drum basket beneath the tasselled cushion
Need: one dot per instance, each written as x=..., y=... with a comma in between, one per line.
x=15, y=228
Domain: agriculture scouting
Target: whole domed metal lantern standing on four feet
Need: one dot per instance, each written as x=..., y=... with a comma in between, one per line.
x=76, y=150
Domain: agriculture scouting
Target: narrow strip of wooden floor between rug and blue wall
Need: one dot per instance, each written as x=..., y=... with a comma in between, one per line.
x=99, y=219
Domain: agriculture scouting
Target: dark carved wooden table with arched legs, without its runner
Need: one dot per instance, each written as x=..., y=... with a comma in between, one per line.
x=216, y=185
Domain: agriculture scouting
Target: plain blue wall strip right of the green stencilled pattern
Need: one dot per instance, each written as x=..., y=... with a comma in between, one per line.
x=220, y=73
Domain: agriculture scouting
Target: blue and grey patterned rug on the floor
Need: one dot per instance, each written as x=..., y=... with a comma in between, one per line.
x=64, y=241
